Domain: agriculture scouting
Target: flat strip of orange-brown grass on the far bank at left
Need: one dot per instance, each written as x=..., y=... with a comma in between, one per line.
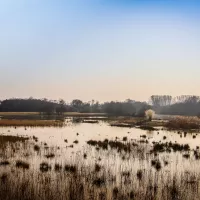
x=15, y=122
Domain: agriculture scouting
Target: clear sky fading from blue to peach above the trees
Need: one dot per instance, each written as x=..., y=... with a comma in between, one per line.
x=99, y=49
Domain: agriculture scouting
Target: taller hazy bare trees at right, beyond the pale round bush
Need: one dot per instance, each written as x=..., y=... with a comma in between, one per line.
x=181, y=105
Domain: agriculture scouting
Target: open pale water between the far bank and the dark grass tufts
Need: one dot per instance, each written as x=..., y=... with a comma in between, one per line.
x=98, y=131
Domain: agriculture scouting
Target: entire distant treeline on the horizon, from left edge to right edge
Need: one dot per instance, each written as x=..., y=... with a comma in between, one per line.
x=162, y=104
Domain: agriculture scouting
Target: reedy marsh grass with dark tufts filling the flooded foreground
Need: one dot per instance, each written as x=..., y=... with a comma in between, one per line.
x=88, y=179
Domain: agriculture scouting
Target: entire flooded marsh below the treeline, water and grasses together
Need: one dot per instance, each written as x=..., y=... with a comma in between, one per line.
x=98, y=156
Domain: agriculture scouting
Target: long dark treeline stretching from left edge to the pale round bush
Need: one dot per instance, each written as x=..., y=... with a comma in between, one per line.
x=45, y=106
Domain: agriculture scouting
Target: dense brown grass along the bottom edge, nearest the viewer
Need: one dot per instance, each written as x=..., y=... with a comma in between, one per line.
x=71, y=184
